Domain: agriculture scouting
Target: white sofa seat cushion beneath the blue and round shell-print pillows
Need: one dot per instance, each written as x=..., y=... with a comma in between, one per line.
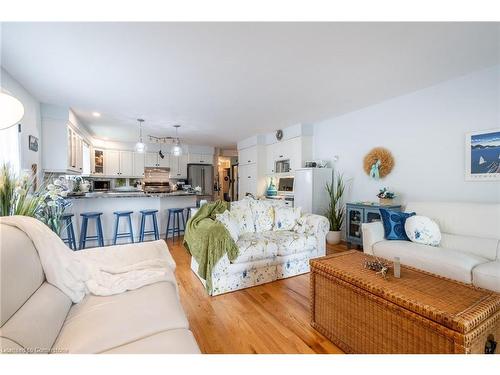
x=449, y=263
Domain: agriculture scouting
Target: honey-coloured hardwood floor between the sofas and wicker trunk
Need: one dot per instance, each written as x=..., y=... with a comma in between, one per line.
x=270, y=318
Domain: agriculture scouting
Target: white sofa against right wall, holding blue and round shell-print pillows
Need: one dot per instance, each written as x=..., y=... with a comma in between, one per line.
x=470, y=246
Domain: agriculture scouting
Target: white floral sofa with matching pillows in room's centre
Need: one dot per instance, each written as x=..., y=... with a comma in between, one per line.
x=274, y=242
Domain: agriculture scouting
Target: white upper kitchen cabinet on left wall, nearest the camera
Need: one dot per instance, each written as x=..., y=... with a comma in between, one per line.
x=62, y=141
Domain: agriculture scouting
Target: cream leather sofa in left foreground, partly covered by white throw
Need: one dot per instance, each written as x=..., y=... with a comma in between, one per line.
x=36, y=317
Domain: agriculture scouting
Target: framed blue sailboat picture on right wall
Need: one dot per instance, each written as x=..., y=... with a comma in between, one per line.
x=482, y=155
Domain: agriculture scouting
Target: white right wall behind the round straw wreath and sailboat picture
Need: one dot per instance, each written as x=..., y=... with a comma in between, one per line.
x=425, y=132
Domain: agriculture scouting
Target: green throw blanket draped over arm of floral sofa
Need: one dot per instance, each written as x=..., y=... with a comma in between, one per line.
x=208, y=240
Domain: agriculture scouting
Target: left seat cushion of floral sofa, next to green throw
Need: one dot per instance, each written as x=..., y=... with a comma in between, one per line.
x=253, y=247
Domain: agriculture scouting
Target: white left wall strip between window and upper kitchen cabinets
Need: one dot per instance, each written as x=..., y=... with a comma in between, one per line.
x=30, y=123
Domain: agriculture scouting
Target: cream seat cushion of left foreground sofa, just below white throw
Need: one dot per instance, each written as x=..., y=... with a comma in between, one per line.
x=101, y=323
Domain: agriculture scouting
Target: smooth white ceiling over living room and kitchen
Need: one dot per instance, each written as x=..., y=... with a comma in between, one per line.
x=226, y=81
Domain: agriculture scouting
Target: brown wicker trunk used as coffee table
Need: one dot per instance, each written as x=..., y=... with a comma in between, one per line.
x=361, y=312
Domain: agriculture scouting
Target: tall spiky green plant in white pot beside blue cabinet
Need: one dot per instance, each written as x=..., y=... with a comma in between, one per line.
x=336, y=211
